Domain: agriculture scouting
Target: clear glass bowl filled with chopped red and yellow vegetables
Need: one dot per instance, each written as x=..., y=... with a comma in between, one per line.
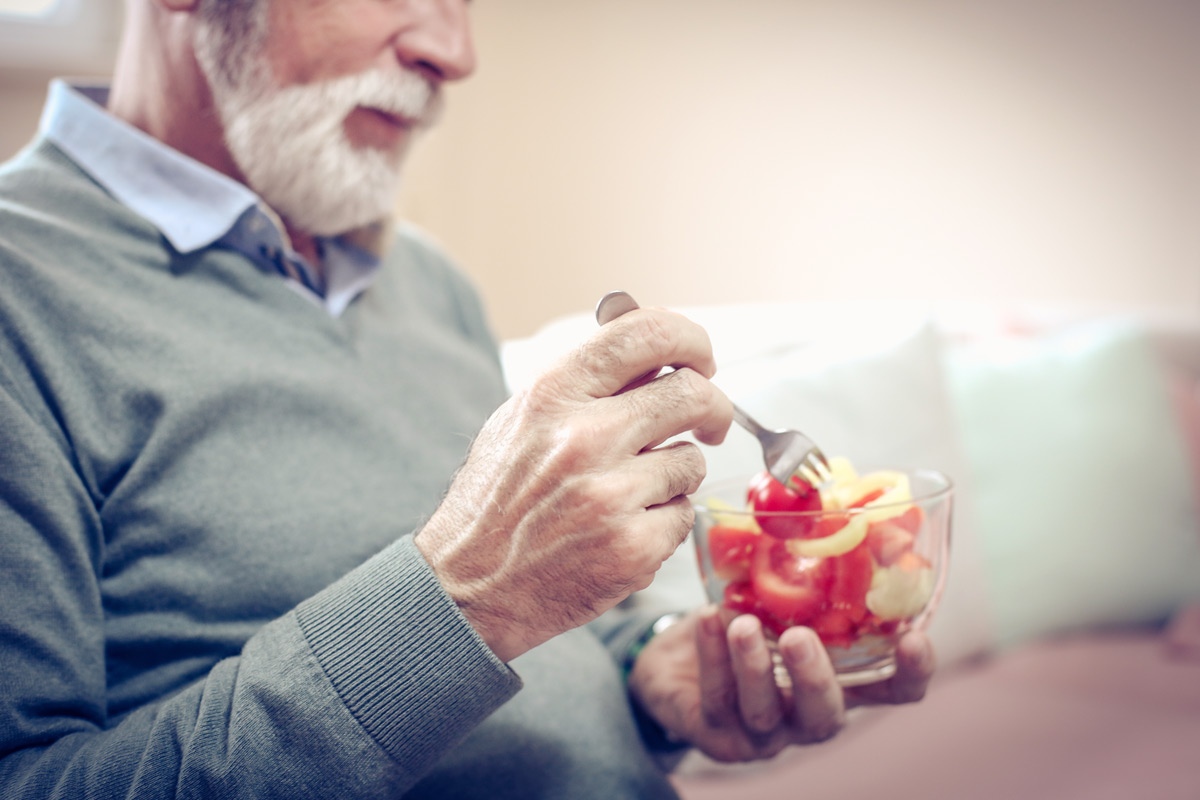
x=861, y=578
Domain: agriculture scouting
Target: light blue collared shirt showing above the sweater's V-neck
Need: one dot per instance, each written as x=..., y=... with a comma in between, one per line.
x=191, y=204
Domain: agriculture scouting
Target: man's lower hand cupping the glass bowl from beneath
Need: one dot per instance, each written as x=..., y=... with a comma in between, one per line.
x=716, y=688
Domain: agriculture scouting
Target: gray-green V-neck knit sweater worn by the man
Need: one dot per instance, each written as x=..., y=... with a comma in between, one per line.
x=208, y=486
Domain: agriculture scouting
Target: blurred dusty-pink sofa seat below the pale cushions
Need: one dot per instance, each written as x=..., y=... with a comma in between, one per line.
x=1089, y=718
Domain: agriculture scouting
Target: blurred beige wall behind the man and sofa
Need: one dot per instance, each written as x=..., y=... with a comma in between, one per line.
x=715, y=152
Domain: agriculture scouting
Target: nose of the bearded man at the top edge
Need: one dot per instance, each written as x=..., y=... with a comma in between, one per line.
x=437, y=40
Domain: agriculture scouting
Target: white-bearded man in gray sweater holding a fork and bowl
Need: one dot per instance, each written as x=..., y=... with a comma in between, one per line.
x=268, y=525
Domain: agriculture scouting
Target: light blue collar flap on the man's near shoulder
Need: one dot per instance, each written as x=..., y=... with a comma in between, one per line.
x=193, y=204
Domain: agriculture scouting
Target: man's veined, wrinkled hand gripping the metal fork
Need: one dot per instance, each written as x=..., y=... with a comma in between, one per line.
x=567, y=503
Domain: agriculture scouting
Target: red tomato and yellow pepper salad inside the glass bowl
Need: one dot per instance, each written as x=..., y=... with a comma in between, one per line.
x=845, y=566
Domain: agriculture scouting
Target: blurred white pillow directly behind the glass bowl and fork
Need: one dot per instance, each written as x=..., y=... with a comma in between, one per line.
x=863, y=380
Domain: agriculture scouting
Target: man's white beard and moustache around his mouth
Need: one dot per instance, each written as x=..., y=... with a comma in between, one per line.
x=291, y=146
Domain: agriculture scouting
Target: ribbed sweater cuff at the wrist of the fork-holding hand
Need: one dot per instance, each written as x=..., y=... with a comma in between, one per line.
x=403, y=657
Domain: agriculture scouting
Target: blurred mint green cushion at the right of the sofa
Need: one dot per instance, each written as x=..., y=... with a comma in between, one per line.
x=1082, y=483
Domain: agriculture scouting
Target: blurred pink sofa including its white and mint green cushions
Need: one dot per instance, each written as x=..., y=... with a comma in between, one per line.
x=1069, y=635
